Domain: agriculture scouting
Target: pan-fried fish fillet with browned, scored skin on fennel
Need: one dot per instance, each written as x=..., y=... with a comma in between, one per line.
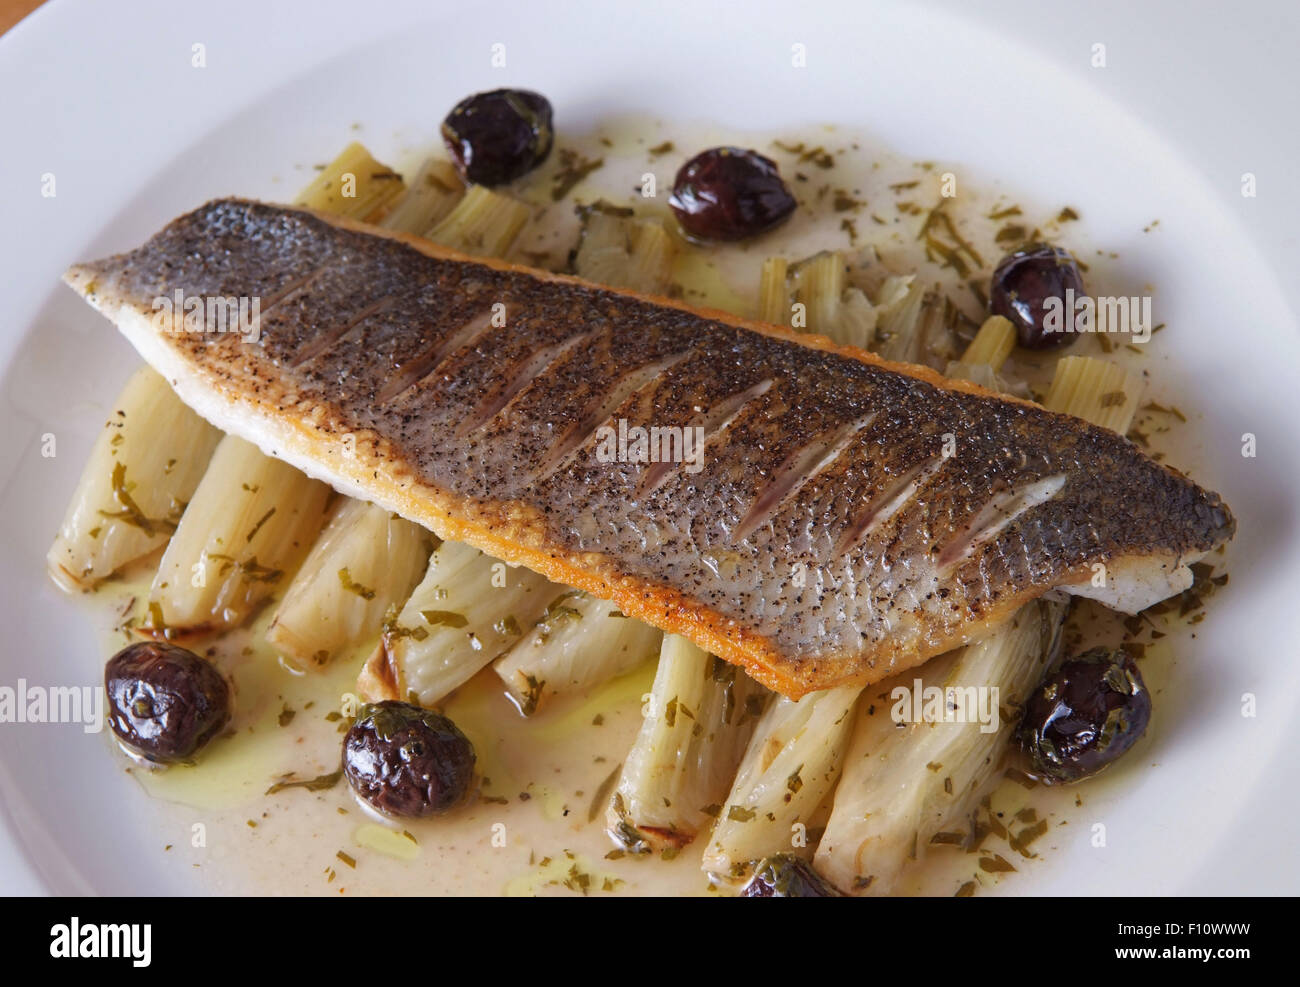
x=866, y=549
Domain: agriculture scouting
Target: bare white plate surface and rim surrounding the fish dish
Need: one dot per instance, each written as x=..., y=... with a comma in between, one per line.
x=106, y=99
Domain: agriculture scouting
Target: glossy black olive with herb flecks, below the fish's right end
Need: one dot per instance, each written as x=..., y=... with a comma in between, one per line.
x=1085, y=715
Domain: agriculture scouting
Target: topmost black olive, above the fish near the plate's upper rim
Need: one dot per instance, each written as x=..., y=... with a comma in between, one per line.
x=499, y=137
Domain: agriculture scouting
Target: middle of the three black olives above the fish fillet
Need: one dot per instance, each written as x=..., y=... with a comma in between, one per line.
x=729, y=193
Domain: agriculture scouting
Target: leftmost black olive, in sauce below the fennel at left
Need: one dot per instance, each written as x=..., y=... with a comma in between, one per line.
x=166, y=703
